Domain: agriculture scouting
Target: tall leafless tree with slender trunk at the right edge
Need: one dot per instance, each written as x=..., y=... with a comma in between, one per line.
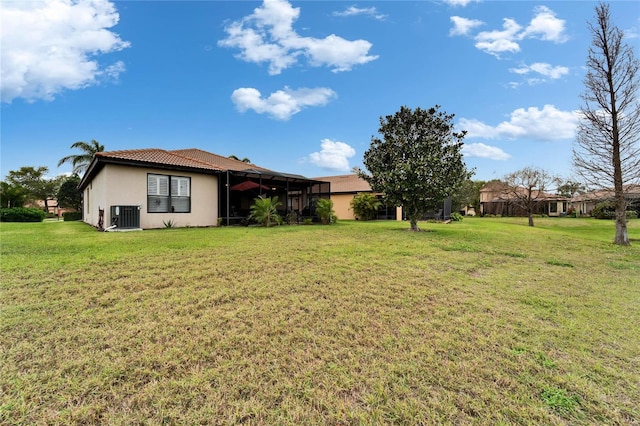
x=607, y=150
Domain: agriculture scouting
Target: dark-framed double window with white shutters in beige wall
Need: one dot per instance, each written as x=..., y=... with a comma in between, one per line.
x=168, y=194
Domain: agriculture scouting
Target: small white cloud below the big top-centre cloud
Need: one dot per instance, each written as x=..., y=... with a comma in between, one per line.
x=281, y=104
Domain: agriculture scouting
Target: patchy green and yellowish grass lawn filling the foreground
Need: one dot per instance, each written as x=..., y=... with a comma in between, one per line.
x=484, y=321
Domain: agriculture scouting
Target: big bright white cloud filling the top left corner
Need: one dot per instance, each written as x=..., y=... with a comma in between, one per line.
x=49, y=46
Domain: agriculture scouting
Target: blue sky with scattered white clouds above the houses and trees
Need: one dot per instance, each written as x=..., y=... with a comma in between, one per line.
x=297, y=87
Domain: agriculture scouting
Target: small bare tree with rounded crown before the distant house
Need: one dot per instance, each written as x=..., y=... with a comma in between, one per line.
x=526, y=188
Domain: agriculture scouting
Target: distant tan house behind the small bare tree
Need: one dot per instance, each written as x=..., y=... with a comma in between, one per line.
x=496, y=199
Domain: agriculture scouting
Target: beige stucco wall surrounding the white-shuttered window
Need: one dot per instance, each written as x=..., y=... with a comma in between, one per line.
x=117, y=185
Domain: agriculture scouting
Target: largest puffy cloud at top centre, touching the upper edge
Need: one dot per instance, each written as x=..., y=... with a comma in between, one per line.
x=267, y=36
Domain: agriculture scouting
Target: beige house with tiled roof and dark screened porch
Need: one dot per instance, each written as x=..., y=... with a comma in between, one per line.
x=148, y=188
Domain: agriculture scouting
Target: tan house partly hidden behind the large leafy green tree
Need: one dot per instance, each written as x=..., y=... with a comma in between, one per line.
x=345, y=187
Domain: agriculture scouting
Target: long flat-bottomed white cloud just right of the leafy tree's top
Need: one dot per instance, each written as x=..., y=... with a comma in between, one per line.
x=545, y=124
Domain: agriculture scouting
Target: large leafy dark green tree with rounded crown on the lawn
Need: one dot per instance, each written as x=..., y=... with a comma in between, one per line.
x=418, y=161
